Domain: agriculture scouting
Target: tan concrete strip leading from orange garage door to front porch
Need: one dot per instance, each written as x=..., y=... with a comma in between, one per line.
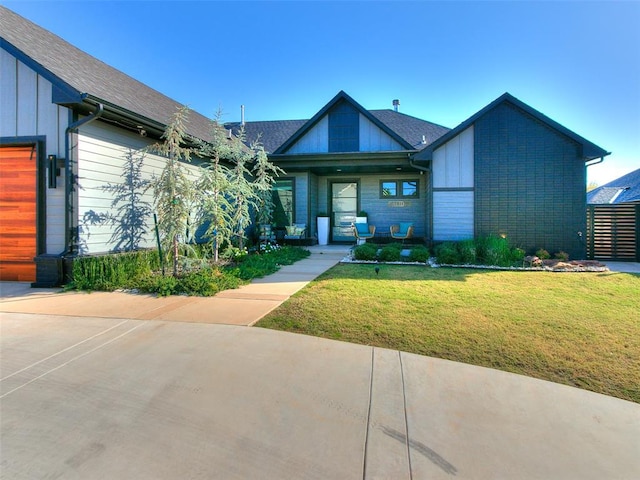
x=243, y=306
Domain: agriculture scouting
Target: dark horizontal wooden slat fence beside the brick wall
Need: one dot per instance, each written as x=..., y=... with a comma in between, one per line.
x=613, y=232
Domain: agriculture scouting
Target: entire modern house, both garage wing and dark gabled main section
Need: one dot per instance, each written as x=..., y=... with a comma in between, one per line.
x=72, y=127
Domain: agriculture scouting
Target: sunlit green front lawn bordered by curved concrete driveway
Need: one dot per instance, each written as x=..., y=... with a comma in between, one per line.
x=578, y=329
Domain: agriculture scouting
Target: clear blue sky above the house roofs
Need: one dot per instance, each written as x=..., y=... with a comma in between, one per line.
x=577, y=62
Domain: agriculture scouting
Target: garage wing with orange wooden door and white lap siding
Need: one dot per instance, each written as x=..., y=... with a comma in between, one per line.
x=68, y=126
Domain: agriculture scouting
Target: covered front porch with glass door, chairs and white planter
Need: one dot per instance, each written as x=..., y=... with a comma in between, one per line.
x=389, y=192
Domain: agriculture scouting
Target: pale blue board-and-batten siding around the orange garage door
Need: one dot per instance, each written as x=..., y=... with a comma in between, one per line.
x=27, y=112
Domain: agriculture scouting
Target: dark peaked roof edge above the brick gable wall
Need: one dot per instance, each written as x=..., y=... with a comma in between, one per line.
x=590, y=151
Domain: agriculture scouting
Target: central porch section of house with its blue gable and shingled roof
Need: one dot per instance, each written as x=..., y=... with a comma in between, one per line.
x=346, y=159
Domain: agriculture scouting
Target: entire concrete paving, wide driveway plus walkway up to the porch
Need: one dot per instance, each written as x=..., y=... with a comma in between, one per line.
x=101, y=394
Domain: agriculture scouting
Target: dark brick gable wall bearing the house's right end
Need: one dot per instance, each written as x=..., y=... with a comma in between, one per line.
x=530, y=183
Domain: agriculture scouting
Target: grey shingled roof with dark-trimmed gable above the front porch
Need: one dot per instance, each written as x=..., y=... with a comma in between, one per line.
x=410, y=132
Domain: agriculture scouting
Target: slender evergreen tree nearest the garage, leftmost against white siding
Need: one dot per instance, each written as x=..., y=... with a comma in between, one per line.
x=173, y=191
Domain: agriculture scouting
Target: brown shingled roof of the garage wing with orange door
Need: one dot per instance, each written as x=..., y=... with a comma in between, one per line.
x=77, y=76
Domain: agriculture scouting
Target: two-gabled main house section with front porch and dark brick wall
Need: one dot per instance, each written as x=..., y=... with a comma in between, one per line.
x=507, y=170
